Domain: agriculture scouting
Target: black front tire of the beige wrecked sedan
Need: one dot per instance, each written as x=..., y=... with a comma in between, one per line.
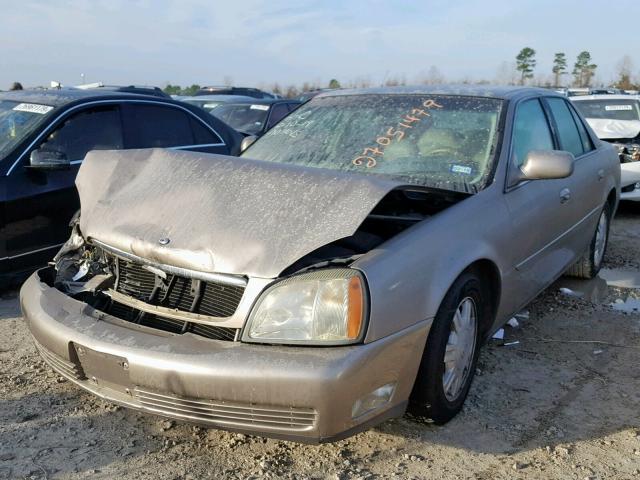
x=429, y=397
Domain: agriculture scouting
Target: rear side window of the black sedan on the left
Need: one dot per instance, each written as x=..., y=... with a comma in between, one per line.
x=149, y=126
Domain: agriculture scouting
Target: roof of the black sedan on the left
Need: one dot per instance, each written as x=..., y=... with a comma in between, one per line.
x=63, y=96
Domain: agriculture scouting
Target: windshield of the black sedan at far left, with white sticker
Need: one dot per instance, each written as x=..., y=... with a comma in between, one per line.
x=17, y=120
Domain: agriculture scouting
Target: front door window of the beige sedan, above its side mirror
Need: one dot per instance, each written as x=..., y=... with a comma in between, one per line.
x=530, y=131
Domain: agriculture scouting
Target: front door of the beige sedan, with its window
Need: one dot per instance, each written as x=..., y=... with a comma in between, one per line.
x=541, y=212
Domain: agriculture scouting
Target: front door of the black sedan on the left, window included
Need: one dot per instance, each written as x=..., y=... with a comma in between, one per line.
x=40, y=203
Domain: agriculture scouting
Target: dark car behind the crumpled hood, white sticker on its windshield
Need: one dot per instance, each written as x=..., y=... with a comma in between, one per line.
x=252, y=116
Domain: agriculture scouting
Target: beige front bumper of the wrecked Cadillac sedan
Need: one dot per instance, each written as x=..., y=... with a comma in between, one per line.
x=297, y=393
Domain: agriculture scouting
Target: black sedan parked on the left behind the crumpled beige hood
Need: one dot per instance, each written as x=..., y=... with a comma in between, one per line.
x=44, y=136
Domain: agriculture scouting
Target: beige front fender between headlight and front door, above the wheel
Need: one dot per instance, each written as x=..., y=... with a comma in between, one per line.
x=409, y=275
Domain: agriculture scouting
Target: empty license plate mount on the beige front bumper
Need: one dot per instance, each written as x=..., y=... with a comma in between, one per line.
x=103, y=369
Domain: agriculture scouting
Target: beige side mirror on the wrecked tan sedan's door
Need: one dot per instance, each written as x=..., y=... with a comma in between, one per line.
x=543, y=165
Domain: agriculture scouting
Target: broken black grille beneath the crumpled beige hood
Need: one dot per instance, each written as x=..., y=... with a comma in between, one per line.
x=175, y=292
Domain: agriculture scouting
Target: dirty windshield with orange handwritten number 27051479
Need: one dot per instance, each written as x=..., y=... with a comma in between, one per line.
x=440, y=141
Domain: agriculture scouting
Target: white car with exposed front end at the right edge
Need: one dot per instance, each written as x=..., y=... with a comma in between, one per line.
x=616, y=119
